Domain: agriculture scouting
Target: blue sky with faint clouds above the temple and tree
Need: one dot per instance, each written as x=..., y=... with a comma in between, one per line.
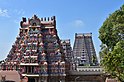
x=73, y=16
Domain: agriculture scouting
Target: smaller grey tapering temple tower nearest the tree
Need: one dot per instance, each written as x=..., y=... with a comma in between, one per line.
x=83, y=50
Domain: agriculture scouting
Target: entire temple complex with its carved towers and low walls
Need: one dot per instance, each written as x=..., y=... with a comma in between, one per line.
x=39, y=55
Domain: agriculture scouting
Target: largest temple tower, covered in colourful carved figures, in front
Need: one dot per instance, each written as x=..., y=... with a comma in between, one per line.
x=37, y=52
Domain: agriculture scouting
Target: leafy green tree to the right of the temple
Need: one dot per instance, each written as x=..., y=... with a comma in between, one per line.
x=111, y=35
